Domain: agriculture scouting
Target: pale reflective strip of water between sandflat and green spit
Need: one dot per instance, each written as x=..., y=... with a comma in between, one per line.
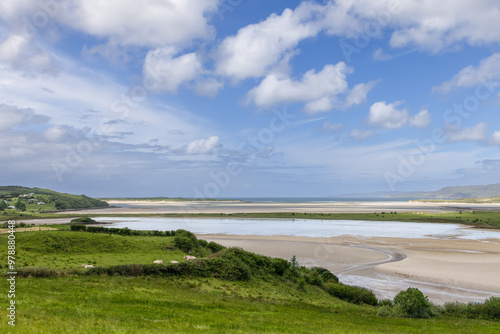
x=304, y=227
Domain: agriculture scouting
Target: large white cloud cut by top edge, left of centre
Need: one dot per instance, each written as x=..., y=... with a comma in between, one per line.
x=150, y=23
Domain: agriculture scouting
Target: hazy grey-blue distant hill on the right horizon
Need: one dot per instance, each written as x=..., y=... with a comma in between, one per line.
x=460, y=192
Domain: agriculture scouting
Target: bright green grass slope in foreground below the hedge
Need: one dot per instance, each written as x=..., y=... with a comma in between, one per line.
x=157, y=305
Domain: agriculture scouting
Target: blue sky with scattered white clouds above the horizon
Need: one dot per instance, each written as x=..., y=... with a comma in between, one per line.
x=243, y=98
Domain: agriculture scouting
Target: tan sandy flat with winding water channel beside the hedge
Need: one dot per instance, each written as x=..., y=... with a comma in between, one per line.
x=445, y=270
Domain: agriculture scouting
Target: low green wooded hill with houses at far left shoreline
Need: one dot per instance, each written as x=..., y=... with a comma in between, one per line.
x=50, y=198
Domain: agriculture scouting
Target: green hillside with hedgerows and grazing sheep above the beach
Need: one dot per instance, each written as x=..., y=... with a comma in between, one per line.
x=223, y=291
